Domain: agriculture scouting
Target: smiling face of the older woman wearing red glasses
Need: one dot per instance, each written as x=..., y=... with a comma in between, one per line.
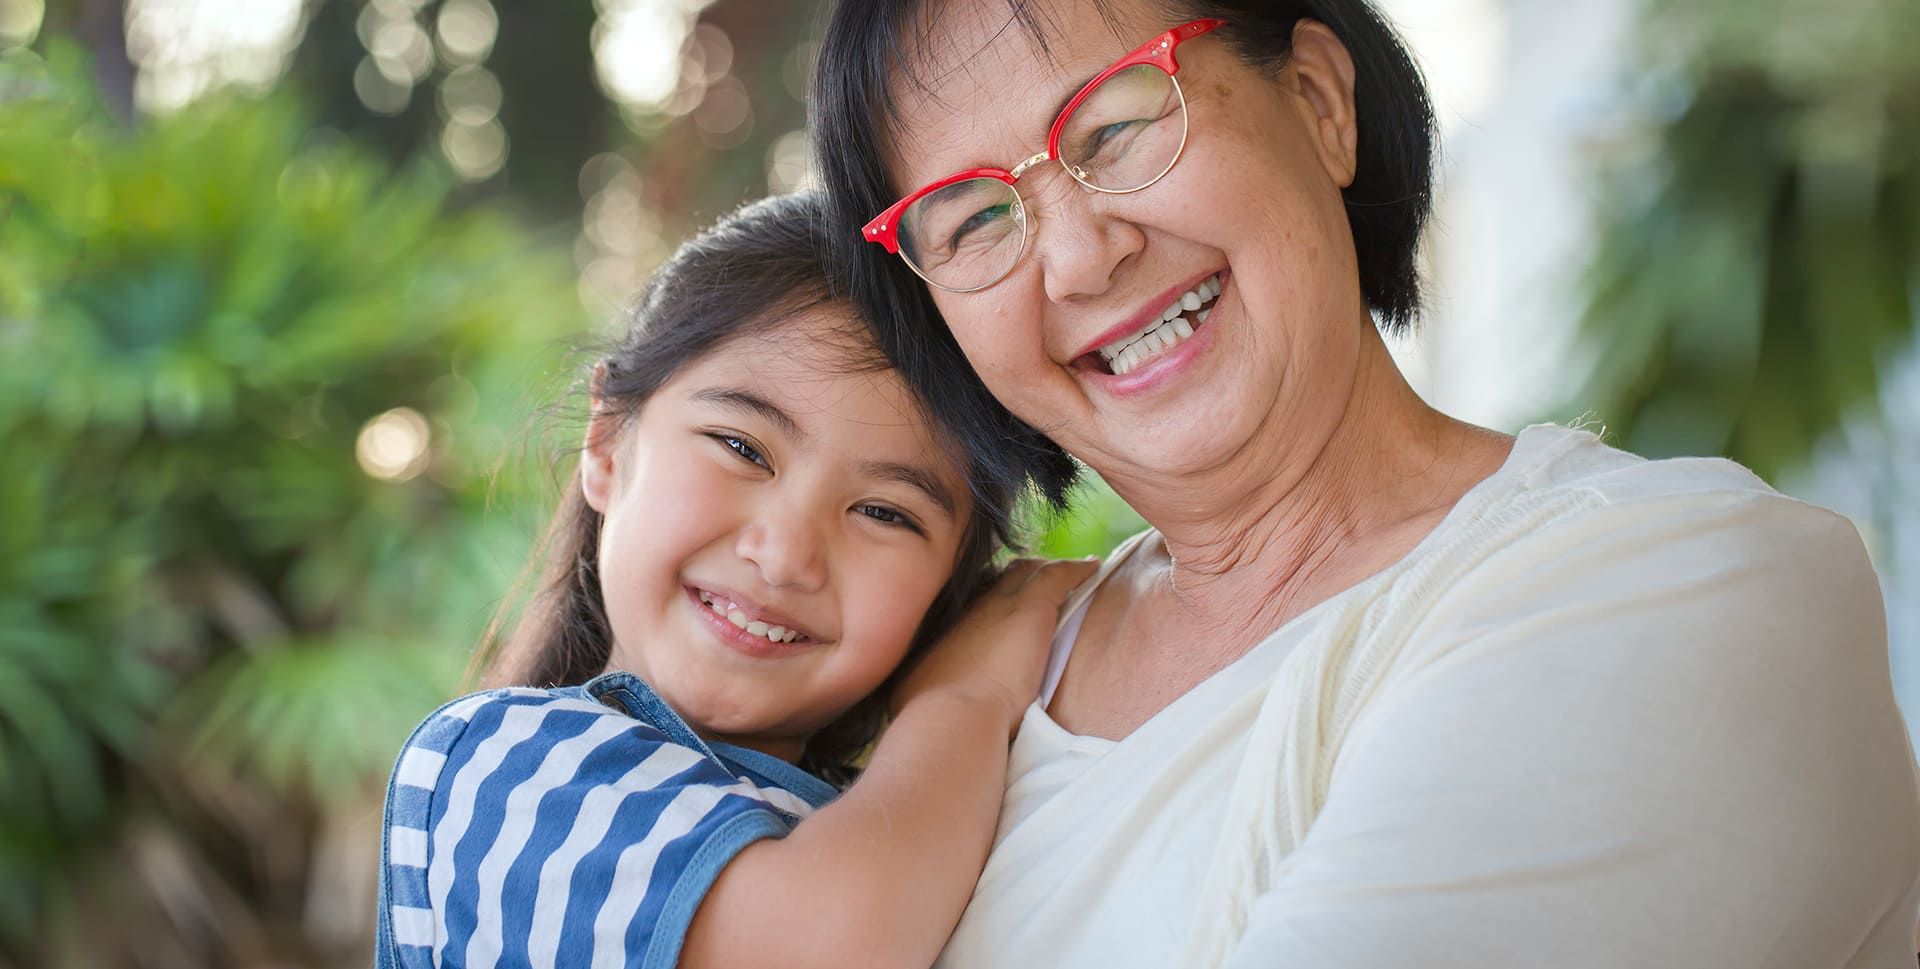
x=1253, y=210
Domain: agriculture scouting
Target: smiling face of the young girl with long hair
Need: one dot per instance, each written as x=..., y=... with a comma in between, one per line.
x=775, y=531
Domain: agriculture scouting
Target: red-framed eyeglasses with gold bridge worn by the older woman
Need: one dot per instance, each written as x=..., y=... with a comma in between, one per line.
x=1118, y=135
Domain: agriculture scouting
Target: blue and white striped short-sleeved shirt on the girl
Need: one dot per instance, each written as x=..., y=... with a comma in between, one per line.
x=577, y=826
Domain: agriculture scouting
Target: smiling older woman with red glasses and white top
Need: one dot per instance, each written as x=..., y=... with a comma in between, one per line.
x=1380, y=688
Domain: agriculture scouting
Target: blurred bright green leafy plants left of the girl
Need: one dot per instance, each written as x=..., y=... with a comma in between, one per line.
x=197, y=577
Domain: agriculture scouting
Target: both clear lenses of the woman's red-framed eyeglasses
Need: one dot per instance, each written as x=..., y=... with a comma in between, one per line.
x=1120, y=139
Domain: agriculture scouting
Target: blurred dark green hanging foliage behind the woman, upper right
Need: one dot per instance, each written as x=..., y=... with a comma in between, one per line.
x=1760, y=262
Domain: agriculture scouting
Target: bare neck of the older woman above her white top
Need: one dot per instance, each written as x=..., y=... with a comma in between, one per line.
x=1297, y=519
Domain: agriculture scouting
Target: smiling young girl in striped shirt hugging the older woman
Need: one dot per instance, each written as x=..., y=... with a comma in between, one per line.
x=761, y=531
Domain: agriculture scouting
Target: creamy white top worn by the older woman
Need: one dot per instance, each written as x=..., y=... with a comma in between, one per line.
x=1610, y=715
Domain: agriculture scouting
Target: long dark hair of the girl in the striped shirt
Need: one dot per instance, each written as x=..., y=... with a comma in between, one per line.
x=750, y=273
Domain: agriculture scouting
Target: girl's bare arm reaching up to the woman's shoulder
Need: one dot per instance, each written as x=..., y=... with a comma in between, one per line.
x=880, y=876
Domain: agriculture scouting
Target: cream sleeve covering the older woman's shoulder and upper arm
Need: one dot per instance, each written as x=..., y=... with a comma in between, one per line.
x=1656, y=734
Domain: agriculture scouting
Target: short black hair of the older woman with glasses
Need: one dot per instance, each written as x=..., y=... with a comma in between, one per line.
x=871, y=47
